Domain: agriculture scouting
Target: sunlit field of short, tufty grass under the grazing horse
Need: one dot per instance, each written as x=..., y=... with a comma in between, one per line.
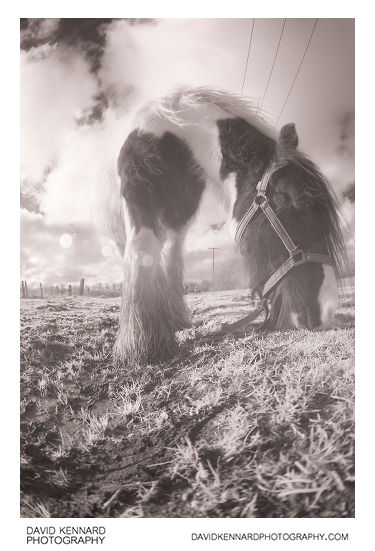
x=260, y=425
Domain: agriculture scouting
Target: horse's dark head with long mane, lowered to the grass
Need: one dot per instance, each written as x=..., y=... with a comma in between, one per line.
x=299, y=196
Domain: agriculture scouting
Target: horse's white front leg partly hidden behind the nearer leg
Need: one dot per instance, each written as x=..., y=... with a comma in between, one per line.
x=174, y=271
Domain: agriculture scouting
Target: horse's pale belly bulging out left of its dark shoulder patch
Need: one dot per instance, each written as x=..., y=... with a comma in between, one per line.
x=107, y=204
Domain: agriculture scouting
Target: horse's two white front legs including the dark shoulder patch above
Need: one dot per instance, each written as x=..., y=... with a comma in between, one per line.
x=162, y=187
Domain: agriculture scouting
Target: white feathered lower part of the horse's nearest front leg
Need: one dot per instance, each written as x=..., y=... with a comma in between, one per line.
x=147, y=323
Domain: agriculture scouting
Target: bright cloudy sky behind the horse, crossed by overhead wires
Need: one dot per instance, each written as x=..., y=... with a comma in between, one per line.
x=82, y=79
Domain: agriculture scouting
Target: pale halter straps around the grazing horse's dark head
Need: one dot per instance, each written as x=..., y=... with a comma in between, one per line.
x=296, y=256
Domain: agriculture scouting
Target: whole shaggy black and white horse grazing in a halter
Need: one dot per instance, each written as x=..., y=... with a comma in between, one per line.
x=197, y=139
